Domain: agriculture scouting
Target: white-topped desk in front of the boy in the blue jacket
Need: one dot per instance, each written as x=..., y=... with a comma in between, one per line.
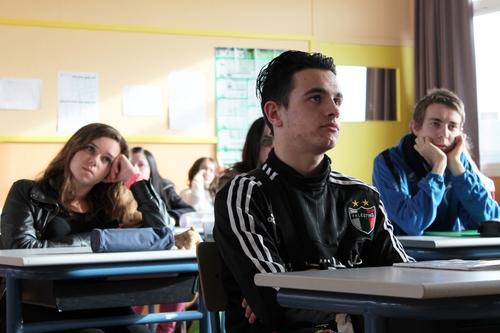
x=440, y=247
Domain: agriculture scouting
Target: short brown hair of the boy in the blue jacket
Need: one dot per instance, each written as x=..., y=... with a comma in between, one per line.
x=438, y=96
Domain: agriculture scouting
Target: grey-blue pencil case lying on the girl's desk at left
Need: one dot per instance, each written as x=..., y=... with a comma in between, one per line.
x=131, y=239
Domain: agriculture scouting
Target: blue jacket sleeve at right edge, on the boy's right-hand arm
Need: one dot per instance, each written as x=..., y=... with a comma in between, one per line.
x=478, y=205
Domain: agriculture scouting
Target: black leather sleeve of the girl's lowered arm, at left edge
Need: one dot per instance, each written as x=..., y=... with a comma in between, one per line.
x=19, y=222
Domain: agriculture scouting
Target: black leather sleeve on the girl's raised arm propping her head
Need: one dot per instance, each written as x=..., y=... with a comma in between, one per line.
x=149, y=203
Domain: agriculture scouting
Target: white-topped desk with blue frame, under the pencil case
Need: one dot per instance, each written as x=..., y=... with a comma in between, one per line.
x=81, y=263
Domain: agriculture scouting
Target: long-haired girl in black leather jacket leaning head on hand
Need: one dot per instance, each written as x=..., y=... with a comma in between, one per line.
x=82, y=188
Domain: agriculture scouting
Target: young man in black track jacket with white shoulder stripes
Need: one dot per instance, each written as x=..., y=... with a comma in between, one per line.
x=295, y=213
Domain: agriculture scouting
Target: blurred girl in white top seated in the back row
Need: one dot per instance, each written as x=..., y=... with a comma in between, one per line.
x=201, y=191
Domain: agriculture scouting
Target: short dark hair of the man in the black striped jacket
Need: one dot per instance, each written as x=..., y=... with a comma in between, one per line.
x=274, y=81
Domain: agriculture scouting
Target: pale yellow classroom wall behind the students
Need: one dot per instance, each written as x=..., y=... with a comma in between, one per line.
x=139, y=42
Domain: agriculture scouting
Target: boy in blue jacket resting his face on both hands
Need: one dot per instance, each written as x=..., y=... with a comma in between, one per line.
x=428, y=181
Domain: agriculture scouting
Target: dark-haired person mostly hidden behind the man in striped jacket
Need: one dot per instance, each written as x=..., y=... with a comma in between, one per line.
x=258, y=144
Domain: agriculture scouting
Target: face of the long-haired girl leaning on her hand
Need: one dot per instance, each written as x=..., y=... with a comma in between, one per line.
x=90, y=165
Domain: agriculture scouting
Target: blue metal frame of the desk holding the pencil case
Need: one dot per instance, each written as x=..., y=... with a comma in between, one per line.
x=14, y=274
